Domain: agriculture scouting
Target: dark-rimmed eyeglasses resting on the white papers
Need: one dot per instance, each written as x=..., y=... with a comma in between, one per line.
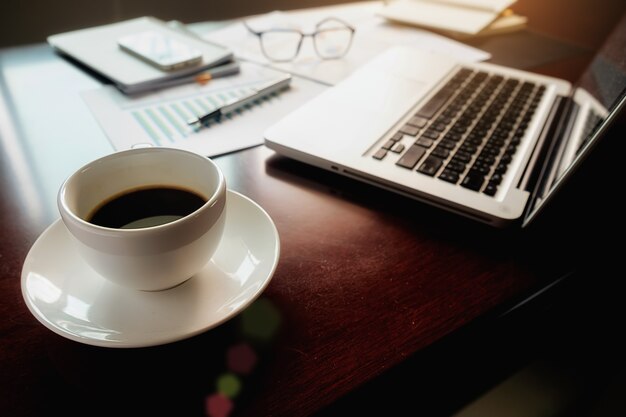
x=332, y=39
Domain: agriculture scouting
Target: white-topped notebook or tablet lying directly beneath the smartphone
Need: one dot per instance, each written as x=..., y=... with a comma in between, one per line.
x=97, y=48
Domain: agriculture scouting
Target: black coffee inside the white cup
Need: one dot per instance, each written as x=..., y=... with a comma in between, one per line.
x=146, y=207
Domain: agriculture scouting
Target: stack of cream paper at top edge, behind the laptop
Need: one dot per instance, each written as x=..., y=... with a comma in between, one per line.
x=456, y=17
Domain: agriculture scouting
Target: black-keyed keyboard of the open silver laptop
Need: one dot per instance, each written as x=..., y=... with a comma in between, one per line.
x=468, y=132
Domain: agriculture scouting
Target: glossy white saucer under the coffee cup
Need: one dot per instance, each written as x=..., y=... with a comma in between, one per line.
x=71, y=299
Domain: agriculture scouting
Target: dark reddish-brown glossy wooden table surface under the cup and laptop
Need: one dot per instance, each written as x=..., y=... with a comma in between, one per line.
x=369, y=283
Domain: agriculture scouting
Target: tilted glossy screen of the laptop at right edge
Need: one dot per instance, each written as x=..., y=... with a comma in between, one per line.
x=596, y=100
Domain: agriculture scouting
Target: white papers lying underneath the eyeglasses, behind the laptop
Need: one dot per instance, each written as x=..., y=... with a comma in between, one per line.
x=373, y=36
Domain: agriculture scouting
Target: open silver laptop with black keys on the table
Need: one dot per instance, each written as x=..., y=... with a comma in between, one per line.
x=485, y=141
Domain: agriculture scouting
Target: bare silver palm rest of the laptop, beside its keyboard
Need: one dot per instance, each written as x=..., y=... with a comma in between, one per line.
x=348, y=118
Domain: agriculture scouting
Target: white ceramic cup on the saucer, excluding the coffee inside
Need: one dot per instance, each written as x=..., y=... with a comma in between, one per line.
x=155, y=257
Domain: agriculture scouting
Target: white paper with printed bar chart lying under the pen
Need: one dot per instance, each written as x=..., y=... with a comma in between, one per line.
x=160, y=118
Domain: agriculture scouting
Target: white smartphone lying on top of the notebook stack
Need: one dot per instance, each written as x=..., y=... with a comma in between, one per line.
x=160, y=50
